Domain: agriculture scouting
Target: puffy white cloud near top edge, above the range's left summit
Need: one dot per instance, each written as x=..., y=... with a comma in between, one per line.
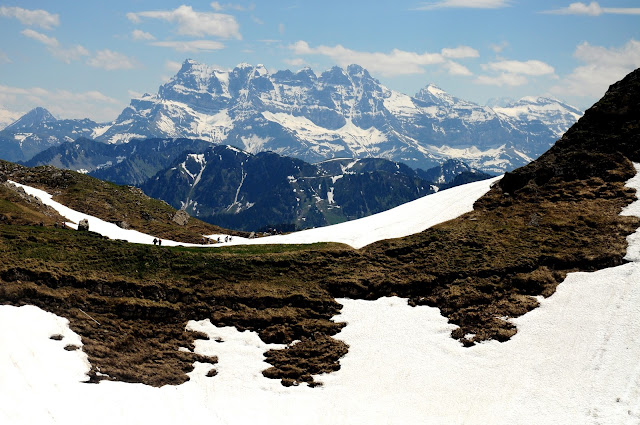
x=190, y=22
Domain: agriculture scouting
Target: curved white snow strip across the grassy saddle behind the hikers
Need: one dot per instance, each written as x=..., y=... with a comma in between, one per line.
x=403, y=220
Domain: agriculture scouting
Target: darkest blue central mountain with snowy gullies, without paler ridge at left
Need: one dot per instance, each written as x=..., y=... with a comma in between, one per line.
x=236, y=189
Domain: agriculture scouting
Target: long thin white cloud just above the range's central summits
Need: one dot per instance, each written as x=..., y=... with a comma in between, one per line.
x=397, y=62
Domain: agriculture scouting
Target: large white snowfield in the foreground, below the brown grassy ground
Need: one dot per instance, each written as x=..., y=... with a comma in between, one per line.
x=574, y=360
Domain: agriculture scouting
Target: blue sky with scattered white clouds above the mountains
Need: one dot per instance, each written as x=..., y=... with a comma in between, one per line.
x=88, y=59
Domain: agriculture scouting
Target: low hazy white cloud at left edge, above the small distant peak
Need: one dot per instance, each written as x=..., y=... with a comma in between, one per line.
x=63, y=103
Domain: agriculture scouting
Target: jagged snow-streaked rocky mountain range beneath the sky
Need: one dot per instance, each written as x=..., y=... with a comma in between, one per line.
x=343, y=112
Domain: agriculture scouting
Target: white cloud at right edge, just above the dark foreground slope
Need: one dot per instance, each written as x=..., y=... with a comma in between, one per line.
x=602, y=67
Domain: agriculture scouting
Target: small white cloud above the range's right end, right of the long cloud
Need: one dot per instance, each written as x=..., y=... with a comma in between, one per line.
x=513, y=73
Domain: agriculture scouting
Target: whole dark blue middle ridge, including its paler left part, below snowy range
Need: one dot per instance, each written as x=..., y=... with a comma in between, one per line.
x=233, y=188
